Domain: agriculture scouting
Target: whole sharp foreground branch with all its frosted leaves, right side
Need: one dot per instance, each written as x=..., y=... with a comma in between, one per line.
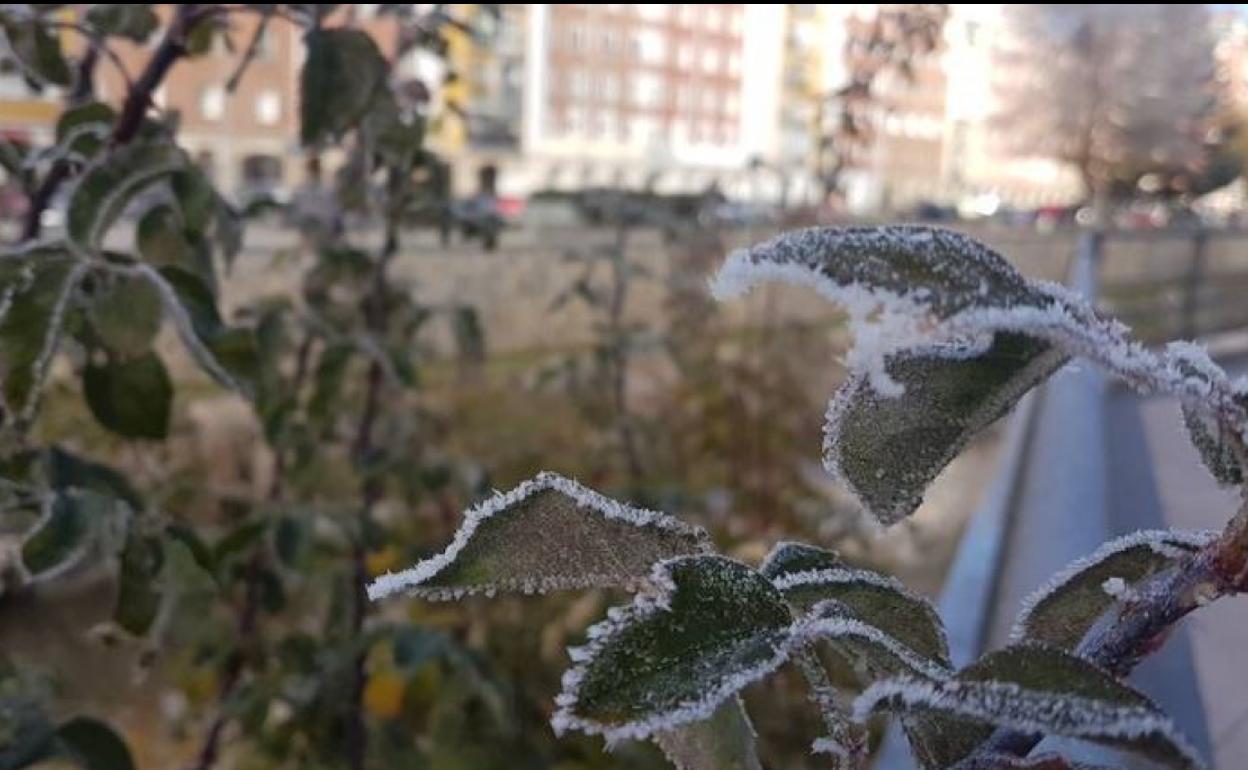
x=949, y=339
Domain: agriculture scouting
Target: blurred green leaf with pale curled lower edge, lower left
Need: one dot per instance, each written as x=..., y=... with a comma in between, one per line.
x=66, y=532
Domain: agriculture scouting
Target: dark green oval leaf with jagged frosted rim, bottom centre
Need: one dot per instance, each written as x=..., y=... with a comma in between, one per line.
x=673, y=657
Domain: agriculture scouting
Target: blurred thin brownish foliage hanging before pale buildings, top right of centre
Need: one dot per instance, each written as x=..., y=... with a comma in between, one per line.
x=888, y=46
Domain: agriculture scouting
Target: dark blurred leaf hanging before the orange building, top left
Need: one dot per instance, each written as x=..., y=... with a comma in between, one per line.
x=343, y=77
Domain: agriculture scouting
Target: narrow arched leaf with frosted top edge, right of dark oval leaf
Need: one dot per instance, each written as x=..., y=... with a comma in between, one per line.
x=877, y=600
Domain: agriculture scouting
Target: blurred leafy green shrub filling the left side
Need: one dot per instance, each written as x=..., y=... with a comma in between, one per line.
x=329, y=370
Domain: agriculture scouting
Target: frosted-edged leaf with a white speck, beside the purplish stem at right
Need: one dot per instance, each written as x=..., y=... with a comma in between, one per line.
x=1064, y=611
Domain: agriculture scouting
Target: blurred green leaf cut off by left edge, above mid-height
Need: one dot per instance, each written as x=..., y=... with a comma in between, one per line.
x=32, y=329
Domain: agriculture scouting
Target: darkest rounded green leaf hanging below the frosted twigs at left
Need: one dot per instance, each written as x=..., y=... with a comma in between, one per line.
x=132, y=397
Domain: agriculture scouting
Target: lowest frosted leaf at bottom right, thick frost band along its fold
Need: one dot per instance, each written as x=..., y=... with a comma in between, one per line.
x=1034, y=690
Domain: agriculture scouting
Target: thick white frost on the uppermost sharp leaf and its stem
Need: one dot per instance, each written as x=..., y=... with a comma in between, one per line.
x=885, y=321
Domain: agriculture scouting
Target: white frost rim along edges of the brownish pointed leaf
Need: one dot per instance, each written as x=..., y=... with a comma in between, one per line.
x=500, y=505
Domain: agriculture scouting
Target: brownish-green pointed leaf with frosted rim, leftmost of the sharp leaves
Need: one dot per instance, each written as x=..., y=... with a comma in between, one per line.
x=547, y=535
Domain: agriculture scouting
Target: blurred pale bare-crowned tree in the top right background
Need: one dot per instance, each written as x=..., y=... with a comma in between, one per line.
x=1116, y=92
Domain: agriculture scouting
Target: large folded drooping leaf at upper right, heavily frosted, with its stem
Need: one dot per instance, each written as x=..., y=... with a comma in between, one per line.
x=934, y=299
